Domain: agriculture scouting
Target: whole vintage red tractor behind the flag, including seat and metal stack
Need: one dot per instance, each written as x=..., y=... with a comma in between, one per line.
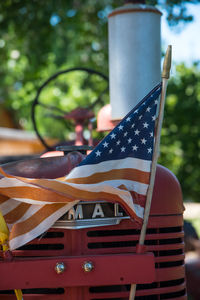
x=91, y=252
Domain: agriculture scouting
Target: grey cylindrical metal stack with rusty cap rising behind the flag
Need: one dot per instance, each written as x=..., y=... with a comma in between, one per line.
x=134, y=55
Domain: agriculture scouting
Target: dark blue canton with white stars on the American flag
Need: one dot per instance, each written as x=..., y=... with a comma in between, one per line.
x=133, y=136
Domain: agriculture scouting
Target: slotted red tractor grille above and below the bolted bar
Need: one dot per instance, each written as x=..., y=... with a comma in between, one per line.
x=165, y=241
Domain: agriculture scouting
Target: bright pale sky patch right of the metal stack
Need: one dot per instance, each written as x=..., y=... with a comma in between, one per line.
x=185, y=41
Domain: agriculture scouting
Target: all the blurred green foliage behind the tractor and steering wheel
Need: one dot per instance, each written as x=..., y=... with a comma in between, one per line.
x=38, y=39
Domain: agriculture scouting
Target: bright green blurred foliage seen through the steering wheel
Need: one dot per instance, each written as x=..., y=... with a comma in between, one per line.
x=76, y=88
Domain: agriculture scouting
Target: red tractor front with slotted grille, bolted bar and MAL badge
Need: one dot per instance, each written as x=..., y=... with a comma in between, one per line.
x=100, y=262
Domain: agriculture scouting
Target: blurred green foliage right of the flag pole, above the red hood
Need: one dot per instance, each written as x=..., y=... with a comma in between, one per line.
x=180, y=144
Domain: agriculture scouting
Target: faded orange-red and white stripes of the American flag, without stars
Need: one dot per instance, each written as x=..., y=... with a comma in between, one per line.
x=31, y=206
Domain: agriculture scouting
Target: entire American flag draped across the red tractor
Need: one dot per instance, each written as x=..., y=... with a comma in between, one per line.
x=117, y=170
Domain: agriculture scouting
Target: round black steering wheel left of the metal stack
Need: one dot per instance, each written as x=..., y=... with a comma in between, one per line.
x=79, y=114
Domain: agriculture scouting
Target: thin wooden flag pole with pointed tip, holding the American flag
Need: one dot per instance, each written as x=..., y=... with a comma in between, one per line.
x=165, y=77
